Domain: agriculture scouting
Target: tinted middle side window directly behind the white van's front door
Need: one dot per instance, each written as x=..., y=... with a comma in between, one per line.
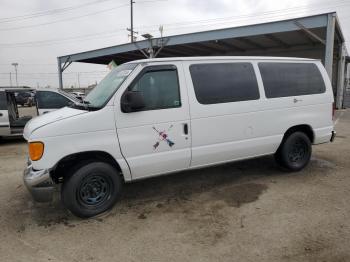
x=224, y=83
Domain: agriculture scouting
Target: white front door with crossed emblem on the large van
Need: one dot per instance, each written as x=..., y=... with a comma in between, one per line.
x=155, y=140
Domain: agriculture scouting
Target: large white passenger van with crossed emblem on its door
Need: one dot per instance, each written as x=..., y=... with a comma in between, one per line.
x=159, y=116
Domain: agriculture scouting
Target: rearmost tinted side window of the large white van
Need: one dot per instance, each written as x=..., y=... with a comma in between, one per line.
x=291, y=79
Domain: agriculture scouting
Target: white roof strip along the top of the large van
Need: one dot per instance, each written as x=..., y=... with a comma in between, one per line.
x=202, y=58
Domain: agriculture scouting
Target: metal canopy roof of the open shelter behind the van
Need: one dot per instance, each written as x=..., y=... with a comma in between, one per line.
x=257, y=39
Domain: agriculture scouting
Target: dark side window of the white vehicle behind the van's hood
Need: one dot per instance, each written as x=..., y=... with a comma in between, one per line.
x=52, y=100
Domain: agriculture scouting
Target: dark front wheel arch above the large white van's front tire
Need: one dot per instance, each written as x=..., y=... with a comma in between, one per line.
x=64, y=167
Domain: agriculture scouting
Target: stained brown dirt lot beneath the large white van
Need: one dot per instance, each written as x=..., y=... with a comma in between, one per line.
x=245, y=211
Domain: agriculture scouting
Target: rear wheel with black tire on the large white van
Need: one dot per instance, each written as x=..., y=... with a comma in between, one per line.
x=295, y=152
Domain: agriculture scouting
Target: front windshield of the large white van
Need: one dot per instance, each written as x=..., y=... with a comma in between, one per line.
x=100, y=95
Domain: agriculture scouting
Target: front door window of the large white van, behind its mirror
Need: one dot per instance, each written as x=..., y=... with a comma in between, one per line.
x=160, y=89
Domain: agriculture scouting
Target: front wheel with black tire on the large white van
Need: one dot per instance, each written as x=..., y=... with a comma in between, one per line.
x=91, y=189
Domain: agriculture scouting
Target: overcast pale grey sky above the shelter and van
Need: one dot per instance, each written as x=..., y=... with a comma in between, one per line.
x=33, y=33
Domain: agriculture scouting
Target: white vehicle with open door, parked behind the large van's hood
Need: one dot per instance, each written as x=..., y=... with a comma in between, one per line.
x=13, y=119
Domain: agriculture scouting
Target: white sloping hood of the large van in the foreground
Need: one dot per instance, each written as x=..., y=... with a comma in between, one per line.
x=48, y=118
